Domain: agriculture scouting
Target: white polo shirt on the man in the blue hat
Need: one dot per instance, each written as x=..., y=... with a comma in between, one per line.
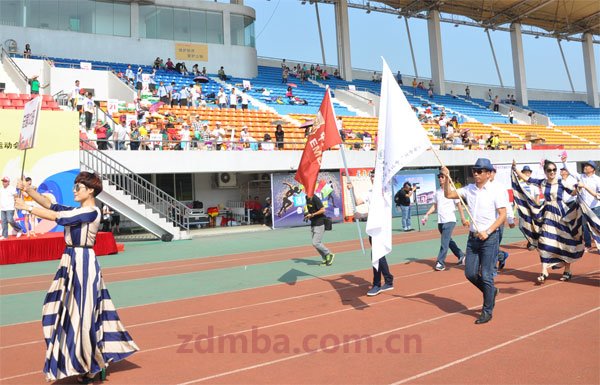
x=483, y=204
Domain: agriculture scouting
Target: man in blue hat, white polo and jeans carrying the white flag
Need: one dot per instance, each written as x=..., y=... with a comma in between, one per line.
x=488, y=213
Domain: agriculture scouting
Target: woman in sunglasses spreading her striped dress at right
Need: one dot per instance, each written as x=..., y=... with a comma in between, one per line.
x=552, y=226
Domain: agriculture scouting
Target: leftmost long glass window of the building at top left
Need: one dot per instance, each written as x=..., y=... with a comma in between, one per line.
x=108, y=17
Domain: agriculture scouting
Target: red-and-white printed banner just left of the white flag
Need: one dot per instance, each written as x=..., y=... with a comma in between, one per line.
x=362, y=185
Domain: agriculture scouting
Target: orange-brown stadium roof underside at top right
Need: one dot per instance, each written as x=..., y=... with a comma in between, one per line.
x=558, y=17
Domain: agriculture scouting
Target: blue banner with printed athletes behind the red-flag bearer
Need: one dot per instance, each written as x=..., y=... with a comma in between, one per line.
x=289, y=198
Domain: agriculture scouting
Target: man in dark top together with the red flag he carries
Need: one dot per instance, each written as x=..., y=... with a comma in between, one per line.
x=322, y=136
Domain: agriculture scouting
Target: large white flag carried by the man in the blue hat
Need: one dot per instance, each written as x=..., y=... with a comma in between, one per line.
x=400, y=139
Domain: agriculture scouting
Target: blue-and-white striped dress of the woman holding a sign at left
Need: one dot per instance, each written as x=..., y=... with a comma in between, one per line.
x=82, y=330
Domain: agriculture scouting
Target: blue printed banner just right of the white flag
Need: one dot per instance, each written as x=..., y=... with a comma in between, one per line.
x=426, y=183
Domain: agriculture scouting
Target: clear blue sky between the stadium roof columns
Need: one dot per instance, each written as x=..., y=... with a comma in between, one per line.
x=288, y=29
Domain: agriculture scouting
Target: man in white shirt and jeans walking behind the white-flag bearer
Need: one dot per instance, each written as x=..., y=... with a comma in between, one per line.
x=446, y=221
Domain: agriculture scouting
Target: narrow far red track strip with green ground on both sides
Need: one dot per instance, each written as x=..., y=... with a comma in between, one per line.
x=126, y=273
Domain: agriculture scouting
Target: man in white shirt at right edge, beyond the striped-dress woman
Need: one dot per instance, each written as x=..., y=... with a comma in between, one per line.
x=592, y=181
